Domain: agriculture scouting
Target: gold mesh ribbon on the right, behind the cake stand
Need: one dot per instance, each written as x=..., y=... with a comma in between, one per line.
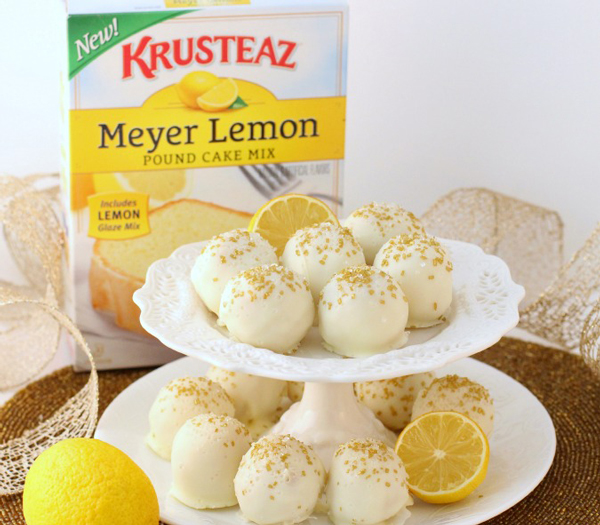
x=559, y=298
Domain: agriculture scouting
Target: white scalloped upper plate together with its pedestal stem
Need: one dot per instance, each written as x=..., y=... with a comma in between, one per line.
x=485, y=307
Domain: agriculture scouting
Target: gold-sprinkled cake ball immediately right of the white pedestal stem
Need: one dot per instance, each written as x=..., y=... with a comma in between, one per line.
x=391, y=400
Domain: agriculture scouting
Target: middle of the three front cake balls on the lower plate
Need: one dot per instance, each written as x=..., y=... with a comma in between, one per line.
x=279, y=481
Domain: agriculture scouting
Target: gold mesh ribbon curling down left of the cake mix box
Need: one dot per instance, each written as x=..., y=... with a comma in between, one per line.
x=31, y=321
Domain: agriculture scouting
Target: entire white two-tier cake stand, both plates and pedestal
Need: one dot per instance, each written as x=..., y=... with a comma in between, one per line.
x=484, y=308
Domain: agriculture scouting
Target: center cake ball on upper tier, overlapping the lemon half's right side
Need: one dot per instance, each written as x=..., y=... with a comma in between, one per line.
x=319, y=252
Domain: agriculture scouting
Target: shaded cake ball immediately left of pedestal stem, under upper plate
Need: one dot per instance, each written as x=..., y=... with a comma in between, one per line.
x=253, y=397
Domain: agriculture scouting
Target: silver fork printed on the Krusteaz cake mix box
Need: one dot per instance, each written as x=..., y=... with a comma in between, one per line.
x=273, y=180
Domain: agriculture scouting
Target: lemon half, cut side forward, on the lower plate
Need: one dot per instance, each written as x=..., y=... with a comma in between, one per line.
x=445, y=454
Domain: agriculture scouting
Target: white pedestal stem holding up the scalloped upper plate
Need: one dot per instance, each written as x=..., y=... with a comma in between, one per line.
x=329, y=415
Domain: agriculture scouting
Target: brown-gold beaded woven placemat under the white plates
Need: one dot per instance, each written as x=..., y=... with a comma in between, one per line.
x=569, y=494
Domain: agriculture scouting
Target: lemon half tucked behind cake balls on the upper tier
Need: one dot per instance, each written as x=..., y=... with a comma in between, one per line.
x=281, y=217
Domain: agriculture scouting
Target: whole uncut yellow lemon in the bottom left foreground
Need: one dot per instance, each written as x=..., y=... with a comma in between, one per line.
x=88, y=482
